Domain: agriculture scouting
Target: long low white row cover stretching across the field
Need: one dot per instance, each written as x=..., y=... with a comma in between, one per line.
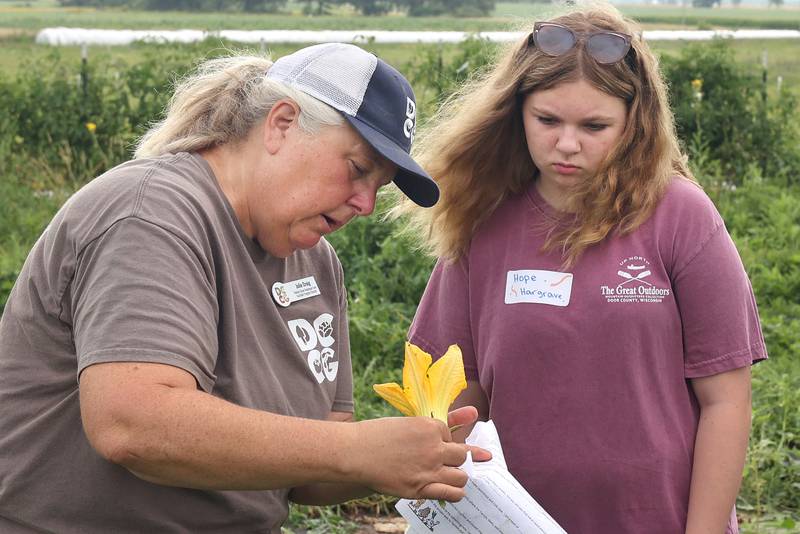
x=80, y=36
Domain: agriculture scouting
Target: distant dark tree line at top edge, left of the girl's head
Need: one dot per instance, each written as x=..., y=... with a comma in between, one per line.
x=414, y=8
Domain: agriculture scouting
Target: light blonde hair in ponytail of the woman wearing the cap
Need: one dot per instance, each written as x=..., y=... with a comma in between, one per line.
x=221, y=102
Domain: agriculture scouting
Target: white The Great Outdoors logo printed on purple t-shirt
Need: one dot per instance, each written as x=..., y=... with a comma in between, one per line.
x=633, y=283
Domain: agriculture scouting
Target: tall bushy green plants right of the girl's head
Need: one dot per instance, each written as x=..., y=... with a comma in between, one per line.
x=724, y=109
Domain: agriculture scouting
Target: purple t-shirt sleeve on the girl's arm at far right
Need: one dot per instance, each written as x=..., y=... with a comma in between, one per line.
x=721, y=328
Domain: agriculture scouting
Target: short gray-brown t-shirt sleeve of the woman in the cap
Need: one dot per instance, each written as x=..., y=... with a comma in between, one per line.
x=141, y=294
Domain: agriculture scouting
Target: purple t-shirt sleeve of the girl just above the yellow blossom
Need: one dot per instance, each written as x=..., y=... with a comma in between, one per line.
x=443, y=317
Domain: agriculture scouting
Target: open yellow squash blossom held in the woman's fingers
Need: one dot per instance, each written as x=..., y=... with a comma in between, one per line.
x=428, y=390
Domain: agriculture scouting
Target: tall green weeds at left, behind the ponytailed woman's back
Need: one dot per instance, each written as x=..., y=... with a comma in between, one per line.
x=75, y=120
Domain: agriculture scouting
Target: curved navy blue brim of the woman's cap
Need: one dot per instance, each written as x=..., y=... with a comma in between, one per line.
x=412, y=180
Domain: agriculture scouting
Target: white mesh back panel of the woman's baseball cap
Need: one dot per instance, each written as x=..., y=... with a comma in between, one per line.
x=335, y=73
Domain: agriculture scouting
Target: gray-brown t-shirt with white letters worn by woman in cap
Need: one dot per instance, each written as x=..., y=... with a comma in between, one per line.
x=148, y=263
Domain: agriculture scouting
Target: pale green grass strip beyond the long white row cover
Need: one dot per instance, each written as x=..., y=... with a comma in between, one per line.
x=507, y=15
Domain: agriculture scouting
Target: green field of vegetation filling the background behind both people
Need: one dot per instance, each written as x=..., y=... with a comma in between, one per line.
x=64, y=123
